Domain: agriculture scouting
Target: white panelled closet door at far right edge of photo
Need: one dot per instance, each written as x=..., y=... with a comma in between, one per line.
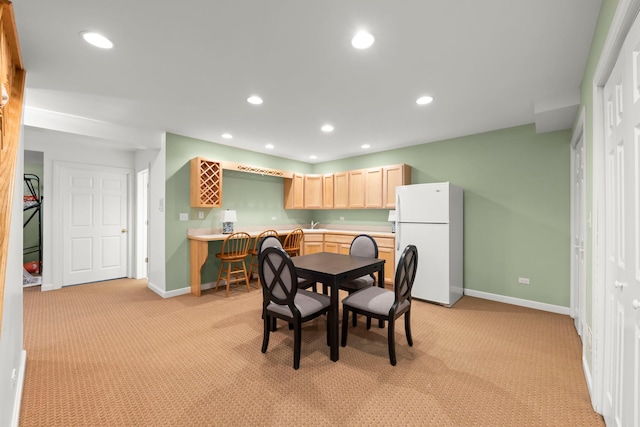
x=622, y=268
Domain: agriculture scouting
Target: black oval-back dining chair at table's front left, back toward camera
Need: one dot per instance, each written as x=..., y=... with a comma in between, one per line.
x=281, y=298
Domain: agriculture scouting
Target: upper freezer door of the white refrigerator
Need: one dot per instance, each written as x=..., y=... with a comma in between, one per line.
x=423, y=203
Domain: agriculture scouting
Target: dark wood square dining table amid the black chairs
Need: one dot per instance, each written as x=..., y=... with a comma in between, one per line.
x=331, y=270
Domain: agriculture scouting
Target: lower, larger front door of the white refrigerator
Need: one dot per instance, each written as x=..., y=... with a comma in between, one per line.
x=432, y=282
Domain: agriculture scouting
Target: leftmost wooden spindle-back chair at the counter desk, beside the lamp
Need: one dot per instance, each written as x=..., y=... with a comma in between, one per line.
x=235, y=249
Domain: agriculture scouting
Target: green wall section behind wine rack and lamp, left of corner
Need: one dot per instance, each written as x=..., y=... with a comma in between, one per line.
x=256, y=199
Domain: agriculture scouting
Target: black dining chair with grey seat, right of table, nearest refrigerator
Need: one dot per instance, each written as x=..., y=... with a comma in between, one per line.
x=384, y=304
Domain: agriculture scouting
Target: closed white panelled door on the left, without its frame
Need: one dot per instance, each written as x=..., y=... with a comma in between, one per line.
x=94, y=212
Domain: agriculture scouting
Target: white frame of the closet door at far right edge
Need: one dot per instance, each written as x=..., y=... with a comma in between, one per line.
x=625, y=14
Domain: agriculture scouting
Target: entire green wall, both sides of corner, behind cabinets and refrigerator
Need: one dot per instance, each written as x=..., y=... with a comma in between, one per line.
x=516, y=204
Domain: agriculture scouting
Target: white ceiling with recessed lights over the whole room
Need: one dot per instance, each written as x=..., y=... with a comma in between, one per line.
x=187, y=68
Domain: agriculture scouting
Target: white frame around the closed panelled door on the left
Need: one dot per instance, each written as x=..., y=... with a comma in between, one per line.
x=58, y=221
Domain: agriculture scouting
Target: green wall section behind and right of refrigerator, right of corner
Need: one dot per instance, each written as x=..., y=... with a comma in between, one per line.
x=517, y=205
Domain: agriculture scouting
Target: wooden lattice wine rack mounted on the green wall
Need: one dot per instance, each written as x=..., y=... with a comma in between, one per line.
x=206, y=183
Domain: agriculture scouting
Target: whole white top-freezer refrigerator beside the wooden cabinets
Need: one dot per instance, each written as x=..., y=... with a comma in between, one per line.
x=430, y=216
